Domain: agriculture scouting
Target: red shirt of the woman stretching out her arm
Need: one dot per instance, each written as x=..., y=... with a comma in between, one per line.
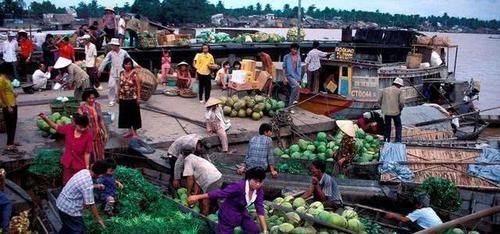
x=75, y=148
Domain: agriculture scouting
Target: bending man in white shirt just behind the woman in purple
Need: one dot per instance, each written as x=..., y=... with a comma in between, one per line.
x=201, y=176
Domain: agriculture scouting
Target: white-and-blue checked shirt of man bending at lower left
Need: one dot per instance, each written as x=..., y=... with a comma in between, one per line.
x=78, y=191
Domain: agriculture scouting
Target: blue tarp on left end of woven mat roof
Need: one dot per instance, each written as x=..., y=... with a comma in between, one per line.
x=392, y=153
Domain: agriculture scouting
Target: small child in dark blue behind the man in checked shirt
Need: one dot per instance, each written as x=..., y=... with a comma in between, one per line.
x=107, y=192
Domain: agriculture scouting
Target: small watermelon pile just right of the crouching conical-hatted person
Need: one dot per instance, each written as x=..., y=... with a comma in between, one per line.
x=367, y=147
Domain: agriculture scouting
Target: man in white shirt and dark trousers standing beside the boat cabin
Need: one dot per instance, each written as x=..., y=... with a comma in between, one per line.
x=313, y=65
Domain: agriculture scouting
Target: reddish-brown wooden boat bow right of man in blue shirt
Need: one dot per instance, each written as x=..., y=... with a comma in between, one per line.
x=322, y=103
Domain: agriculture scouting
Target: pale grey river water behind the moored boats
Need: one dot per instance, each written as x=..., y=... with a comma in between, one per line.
x=478, y=58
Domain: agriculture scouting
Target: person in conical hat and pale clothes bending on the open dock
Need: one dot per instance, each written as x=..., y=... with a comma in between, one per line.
x=216, y=124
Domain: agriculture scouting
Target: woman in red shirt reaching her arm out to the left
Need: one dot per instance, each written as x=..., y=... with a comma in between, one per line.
x=77, y=145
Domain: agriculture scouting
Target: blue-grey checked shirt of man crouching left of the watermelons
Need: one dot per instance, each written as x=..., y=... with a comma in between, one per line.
x=260, y=152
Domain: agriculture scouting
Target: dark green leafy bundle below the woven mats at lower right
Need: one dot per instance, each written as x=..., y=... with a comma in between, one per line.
x=443, y=193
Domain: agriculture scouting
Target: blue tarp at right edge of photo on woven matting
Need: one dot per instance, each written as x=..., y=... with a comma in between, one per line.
x=490, y=172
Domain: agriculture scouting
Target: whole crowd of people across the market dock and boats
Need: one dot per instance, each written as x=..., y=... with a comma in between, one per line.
x=84, y=160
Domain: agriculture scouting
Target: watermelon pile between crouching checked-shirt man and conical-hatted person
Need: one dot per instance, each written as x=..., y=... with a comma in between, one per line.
x=319, y=149
